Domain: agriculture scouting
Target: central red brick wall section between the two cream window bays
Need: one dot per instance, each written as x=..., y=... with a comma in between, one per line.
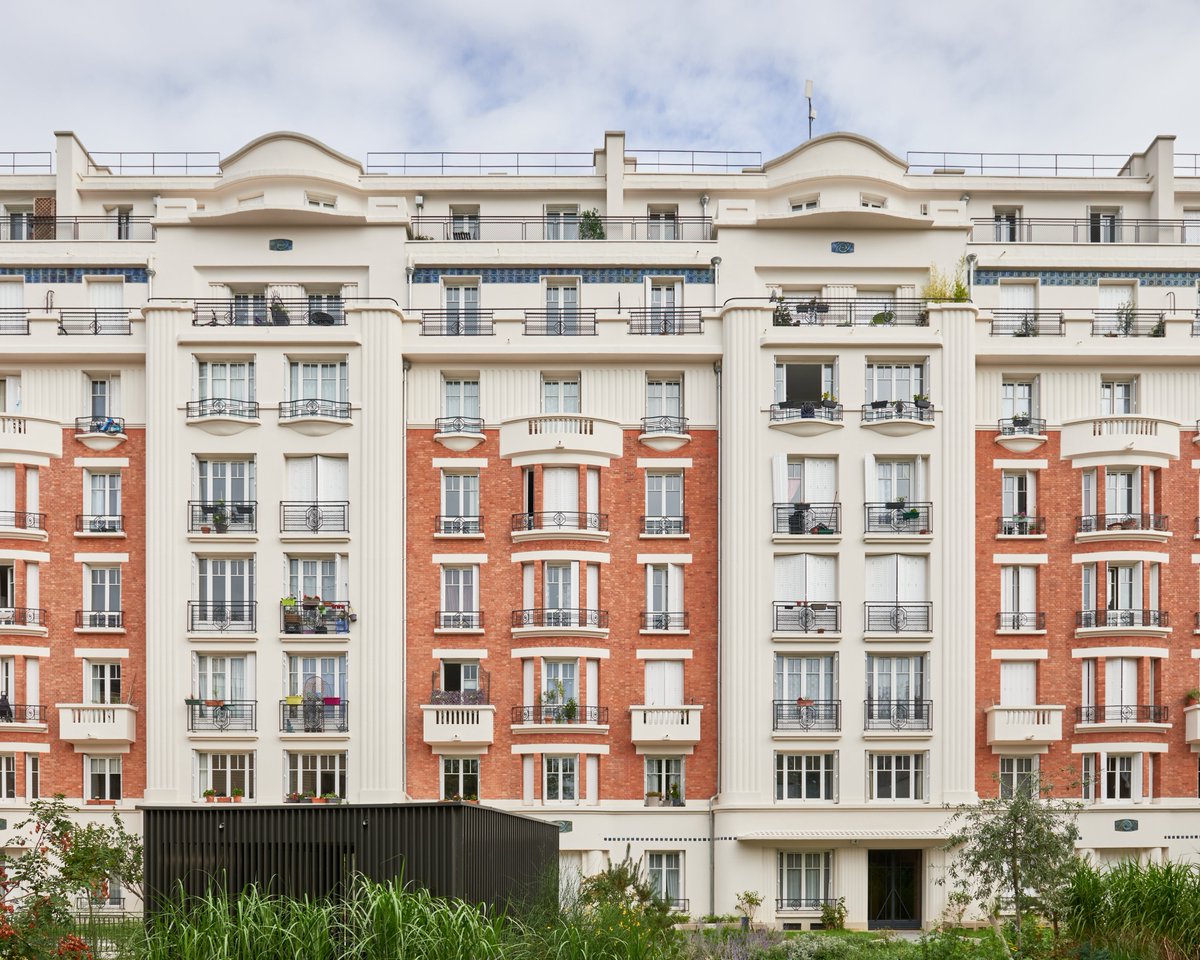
x=622, y=595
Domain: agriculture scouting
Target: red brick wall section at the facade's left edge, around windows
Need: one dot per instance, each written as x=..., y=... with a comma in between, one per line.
x=61, y=490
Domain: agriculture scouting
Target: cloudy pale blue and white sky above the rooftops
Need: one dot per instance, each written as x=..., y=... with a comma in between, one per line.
x=505, y=75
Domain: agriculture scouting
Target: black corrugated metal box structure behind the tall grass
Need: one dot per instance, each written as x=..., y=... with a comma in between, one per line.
x=458, y=850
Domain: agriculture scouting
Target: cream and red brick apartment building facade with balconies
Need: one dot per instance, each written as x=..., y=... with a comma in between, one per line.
x=646, y=493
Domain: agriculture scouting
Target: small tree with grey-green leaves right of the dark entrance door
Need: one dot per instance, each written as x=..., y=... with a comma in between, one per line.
x=1017, y=850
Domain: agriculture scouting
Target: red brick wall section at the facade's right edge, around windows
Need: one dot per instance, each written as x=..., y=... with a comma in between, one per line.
x=1059, y=500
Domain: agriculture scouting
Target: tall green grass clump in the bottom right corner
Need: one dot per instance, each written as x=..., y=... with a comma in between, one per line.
x=1150, y=911
